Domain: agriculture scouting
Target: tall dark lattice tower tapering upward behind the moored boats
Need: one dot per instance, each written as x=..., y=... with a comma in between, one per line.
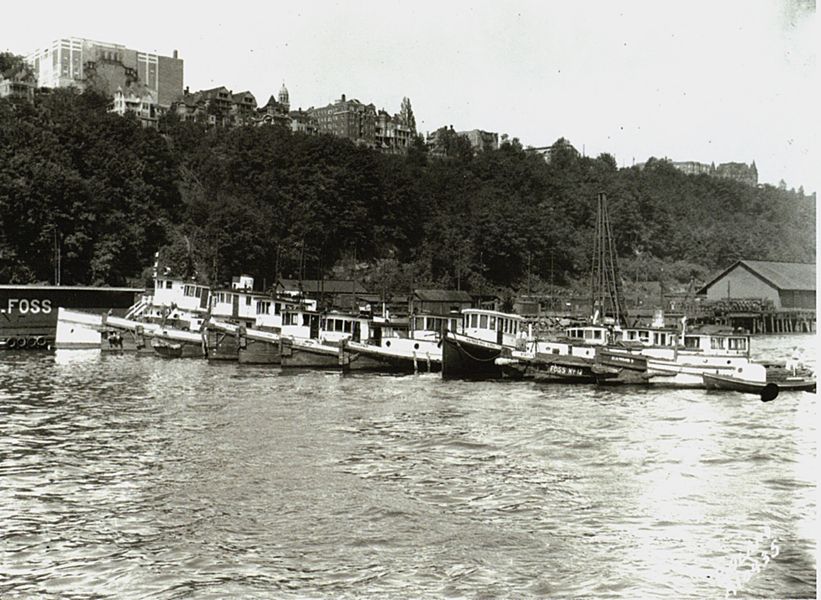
x=605, y=284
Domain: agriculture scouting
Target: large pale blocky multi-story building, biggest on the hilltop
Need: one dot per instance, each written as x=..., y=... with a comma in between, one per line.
x=82, y=63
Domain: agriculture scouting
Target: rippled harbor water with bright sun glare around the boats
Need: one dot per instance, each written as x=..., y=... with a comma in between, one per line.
x=138, y=477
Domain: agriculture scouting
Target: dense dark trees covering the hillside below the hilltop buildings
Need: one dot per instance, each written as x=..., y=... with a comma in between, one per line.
x=264, y=200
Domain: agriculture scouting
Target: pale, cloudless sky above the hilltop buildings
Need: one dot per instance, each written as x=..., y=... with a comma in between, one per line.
x=689, y=80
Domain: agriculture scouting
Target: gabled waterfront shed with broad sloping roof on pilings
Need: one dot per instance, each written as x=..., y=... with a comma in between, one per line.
x=786, y=285
